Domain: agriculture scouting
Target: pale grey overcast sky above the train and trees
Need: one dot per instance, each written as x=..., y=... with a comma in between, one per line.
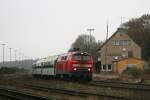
x=39, y=28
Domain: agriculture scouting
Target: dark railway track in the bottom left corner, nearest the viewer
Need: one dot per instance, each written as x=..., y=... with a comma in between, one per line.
x=19, y=95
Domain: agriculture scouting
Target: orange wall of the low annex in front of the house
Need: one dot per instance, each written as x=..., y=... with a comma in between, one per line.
x=120, y=66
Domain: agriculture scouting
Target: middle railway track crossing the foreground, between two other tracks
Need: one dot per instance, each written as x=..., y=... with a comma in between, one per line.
x=80, y=93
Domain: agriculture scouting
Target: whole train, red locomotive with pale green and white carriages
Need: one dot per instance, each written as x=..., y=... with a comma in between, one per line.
x=69, y=65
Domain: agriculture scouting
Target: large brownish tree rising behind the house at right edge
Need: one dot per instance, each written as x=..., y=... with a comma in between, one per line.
x=139, y=30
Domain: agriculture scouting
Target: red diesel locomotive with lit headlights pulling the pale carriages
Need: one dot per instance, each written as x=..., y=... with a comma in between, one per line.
x=75, y=64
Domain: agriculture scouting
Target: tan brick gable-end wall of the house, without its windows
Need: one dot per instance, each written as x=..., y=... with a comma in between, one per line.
x=109, y=52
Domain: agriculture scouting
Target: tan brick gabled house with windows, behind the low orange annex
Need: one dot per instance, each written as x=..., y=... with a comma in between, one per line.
x=118, y=46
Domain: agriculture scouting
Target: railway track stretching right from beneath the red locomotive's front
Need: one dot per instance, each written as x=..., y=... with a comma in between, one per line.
x=131, y=86
